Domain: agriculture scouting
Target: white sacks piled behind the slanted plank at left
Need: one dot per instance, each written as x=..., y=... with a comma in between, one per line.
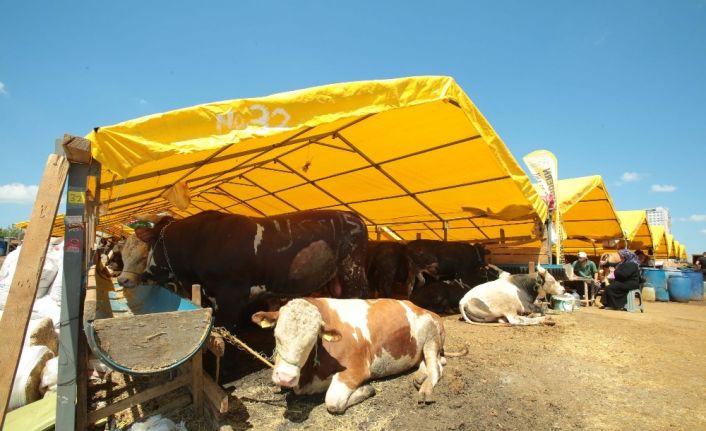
x=38, y=367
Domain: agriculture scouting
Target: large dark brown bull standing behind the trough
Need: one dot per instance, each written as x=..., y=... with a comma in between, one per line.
x=236, y=258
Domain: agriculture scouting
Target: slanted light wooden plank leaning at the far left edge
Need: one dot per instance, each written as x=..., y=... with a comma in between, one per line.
x=23, y=290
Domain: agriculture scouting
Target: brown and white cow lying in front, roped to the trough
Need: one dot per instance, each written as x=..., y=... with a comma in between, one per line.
x=337, y=345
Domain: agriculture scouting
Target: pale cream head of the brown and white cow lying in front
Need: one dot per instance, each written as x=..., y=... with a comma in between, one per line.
x=298, y=327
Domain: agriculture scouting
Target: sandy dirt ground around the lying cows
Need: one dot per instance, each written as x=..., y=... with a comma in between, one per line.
x=596, y=369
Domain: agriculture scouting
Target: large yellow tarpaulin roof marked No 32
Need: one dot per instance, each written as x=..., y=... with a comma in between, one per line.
x=409, y=154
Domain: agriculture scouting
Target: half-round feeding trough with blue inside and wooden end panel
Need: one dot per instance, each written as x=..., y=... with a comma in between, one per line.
x=143, y=330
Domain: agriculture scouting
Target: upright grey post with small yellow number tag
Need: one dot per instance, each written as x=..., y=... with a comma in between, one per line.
x=74, y=248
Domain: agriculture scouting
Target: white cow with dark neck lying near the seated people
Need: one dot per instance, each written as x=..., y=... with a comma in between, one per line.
x=509, y=299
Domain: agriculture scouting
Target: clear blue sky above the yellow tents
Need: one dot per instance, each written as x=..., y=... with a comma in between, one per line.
x=615, y=88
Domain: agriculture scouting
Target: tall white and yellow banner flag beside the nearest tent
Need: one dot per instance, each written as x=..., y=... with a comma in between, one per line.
x=543, y=166
